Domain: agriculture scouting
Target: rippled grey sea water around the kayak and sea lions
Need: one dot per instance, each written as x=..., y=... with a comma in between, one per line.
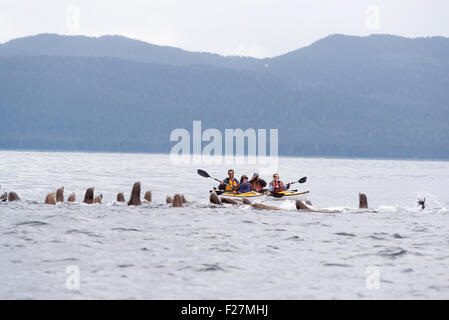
x=199, y=252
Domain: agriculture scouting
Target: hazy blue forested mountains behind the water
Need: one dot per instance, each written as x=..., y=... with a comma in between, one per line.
x=376, y=96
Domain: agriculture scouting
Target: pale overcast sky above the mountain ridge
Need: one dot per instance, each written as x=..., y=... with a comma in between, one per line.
x=257, y=28
